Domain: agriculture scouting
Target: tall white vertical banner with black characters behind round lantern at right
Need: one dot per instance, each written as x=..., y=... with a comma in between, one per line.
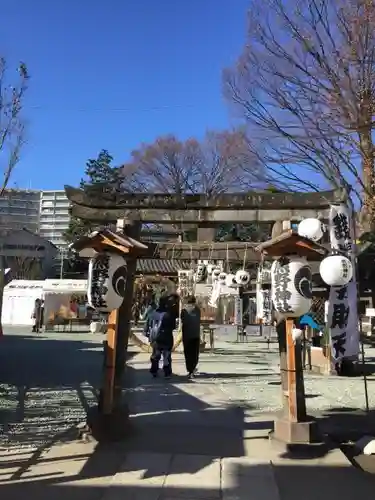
x=342, y=308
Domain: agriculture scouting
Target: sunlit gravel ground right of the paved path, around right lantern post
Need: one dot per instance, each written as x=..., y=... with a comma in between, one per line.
x=259, y=388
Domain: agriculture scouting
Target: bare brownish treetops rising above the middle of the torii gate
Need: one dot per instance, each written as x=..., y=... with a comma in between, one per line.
x=220, y=162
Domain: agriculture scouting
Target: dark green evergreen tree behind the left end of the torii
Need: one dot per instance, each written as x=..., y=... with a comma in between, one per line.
x=100, y=177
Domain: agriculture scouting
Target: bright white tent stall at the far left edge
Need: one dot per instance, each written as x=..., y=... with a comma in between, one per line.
x=19, y=301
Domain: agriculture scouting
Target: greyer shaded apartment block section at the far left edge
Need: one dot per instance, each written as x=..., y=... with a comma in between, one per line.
x=20, y=208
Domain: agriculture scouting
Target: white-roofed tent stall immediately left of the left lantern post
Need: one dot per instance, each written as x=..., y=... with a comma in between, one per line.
x=58, y=295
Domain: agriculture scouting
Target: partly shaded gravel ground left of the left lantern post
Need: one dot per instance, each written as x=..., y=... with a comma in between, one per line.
x=46, y=383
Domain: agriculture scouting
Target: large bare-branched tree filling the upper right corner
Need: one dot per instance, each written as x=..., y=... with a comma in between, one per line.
x=305, y=85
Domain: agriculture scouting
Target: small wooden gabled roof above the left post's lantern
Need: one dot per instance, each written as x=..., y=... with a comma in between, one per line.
x=105, y=239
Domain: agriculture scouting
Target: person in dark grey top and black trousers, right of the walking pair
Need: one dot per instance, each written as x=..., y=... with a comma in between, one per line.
x=191, y=334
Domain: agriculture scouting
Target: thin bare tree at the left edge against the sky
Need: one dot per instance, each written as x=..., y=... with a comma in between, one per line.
x=12, y=123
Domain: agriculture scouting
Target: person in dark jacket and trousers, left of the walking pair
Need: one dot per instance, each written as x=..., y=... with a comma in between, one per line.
x=161, y=324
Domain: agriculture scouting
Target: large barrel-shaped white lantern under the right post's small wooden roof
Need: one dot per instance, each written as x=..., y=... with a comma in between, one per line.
x=291, y=286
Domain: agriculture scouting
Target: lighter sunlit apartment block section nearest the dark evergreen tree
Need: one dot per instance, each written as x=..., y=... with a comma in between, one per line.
x=54, y=217
